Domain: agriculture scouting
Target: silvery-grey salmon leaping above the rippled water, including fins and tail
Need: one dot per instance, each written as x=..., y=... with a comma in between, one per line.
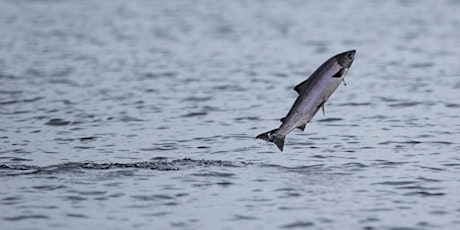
x=313, y=94
